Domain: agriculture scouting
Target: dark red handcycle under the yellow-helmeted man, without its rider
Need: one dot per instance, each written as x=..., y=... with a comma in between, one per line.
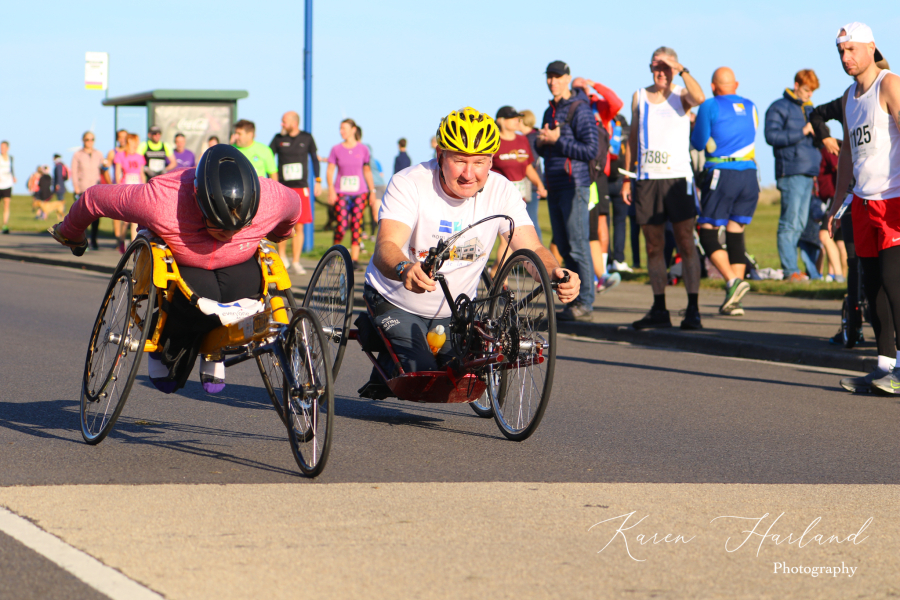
x=504, y=338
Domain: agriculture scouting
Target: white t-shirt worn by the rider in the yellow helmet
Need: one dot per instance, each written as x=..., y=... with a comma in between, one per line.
x=414, y=196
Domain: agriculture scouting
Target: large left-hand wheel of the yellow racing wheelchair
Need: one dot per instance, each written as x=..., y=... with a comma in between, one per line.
x=117, y=342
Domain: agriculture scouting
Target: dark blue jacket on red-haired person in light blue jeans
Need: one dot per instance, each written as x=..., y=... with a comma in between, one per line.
x=795, y=153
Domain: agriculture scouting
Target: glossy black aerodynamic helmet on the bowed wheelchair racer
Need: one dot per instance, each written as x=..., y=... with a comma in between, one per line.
x=227, y=187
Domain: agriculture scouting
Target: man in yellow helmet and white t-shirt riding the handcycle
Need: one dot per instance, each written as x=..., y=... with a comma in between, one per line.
x=431, y=201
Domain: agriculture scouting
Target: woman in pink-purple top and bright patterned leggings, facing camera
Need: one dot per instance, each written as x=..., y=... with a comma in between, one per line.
x=348, y=190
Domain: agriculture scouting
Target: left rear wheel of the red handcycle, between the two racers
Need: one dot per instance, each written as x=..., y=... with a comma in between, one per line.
x=330, y=296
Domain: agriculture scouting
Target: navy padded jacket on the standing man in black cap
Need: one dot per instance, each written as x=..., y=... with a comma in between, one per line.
x=566, y=161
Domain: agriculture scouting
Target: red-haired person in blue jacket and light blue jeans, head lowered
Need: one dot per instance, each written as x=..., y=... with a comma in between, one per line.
x=790, y=134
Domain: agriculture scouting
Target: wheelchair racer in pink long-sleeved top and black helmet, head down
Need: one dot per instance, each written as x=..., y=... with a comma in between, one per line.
x=212, y=218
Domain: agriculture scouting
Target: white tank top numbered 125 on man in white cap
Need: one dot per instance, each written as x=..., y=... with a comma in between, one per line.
x=874, y=144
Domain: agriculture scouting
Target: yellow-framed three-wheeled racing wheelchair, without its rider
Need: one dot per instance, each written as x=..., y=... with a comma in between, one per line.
x=285, y=340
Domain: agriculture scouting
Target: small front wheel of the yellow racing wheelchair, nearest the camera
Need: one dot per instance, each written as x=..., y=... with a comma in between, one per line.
x=309, y=409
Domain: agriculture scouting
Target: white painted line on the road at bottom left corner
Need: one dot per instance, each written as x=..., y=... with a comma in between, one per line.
x=91, y=571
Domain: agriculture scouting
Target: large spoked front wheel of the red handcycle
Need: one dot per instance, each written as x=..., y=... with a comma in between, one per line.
x=526, y=379
